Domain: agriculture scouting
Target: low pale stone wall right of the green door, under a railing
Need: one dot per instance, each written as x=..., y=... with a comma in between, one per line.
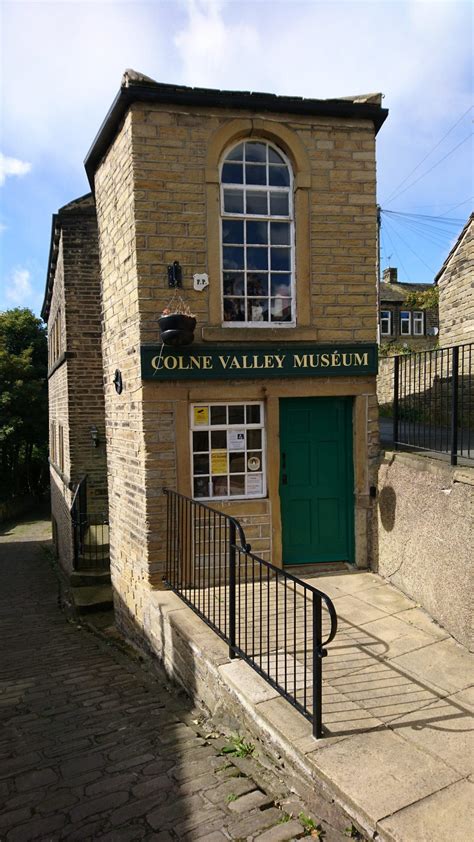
x=426, y=536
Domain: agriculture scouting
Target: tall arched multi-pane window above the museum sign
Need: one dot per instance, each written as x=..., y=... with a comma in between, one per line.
x=257, y=236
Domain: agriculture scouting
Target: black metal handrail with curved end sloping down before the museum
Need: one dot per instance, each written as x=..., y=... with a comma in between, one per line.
x=275, y=622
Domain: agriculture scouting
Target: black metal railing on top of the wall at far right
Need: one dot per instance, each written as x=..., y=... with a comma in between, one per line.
x=433, y=406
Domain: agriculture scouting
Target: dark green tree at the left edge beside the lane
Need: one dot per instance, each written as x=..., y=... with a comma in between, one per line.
x=23, y=403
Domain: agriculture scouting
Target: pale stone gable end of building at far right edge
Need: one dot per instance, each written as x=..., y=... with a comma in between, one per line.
x=455, y=281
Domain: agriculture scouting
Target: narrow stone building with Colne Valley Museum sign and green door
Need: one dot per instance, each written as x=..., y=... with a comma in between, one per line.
x=266, y=207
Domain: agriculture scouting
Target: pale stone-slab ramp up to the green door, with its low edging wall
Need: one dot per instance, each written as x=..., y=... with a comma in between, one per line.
x=398, y=697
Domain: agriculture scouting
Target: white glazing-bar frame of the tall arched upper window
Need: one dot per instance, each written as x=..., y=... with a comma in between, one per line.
x=259, y=218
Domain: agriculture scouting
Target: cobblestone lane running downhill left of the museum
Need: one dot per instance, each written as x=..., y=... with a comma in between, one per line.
x=93, y=745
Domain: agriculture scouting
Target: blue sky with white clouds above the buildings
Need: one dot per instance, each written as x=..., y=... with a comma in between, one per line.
x=62, y=63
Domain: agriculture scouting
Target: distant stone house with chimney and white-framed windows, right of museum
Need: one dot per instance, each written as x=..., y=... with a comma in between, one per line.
x=403, y=325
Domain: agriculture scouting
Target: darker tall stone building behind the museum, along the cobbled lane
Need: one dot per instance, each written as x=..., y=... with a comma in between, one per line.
x=71, y=309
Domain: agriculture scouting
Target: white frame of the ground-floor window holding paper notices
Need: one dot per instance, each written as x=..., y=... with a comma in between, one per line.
x=208, y=427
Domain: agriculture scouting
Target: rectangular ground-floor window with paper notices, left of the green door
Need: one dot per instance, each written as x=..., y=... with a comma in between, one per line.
x=228, y=450
